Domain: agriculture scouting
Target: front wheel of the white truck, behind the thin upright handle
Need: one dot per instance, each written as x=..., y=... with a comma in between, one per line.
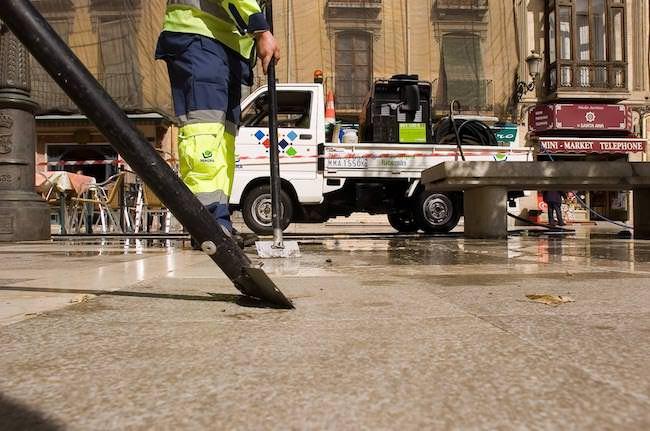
x=256, y=210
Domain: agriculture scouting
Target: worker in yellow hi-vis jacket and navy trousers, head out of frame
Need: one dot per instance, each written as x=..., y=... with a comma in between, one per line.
x=210, y=47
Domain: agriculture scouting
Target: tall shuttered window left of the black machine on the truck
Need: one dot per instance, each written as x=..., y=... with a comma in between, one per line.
x=353, y=72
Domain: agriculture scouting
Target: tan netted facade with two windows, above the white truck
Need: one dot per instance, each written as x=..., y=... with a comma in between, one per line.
x=466, y=48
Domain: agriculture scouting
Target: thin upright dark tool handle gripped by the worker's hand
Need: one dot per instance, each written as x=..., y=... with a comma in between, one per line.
x=276, y=205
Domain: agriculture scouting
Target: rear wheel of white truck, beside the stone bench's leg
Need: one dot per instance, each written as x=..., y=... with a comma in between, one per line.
x=436, y=212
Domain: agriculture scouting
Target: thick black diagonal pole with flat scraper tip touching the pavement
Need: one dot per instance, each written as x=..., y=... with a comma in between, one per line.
x=73, y=77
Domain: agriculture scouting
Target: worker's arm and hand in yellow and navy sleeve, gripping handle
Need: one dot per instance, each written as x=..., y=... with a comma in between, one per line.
x=249, y=19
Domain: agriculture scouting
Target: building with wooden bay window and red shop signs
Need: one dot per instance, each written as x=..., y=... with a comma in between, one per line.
x=591, y=99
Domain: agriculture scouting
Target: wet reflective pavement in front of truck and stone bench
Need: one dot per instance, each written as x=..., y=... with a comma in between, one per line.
x=458, y=251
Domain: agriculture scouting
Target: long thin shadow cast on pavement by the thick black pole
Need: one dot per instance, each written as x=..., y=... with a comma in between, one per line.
x=242, y=301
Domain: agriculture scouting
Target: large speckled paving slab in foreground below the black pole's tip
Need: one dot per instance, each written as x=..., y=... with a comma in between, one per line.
x=196, y=365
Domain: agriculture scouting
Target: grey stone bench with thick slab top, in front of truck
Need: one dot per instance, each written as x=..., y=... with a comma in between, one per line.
x=486, y=186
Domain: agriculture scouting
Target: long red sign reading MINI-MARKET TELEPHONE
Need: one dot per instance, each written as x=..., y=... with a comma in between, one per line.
x=583, y=146
